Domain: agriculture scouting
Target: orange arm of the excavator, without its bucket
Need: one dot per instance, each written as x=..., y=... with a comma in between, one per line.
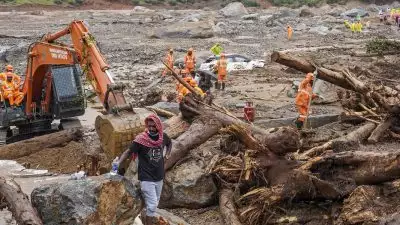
x=93, y=64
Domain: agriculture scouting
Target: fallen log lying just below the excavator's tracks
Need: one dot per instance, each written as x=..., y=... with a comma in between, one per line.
x=30, y=146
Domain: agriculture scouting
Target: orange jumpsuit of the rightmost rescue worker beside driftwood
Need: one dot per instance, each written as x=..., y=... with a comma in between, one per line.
x=303, y=97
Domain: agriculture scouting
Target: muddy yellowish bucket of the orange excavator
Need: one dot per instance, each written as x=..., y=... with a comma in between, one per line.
x=116, y=132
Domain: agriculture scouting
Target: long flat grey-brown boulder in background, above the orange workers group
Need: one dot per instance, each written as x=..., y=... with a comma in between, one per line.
x=200, y=29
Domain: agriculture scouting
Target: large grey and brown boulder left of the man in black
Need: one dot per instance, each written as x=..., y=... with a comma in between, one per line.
x=98, y=200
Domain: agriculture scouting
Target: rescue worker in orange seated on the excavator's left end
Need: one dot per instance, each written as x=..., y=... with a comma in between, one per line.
x=10, y=89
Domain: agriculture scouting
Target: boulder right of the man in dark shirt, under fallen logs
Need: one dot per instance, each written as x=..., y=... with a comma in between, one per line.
x=188, y=186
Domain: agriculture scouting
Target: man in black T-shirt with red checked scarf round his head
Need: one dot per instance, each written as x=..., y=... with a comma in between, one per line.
x=148, y=147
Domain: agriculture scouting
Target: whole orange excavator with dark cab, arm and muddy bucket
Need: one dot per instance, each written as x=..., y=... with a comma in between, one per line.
x=53, y=90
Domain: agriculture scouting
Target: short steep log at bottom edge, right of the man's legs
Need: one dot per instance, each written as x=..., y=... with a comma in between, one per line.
x=227, y=207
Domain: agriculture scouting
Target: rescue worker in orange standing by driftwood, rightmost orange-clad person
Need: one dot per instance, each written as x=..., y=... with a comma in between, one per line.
x=303, y=99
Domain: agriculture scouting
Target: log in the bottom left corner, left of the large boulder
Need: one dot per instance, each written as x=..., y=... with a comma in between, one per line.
x=18, y=203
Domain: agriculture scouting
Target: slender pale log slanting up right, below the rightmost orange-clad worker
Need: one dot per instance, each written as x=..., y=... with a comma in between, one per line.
x=353, y=138
